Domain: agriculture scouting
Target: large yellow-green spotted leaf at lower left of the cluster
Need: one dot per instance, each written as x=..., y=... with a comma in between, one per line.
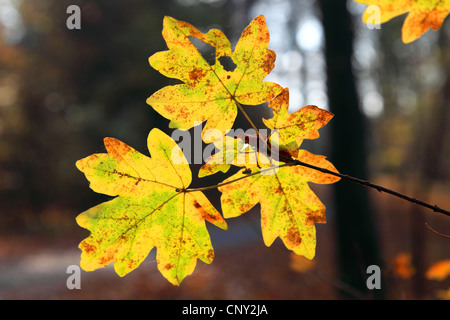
x=151, y=208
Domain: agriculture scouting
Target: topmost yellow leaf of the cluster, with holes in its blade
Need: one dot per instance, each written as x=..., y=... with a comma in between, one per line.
x=211, y=92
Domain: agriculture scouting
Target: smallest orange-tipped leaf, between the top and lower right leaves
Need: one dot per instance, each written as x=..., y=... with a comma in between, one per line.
x=288, y=132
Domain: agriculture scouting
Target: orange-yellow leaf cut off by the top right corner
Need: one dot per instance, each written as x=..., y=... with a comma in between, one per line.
x=423, y=14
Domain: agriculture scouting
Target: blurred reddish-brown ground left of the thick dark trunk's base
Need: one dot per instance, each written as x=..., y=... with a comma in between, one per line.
x=37, y=270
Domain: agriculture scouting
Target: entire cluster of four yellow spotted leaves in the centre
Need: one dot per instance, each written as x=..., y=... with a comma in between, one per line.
x=153, y=204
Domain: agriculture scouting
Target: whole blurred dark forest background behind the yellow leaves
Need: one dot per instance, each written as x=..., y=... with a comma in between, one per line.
x=62, y=91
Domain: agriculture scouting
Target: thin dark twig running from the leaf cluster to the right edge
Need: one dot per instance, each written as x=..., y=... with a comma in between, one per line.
x=345, y=177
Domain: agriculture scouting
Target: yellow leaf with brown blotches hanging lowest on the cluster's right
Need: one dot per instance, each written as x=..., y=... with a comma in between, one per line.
x=289, y=208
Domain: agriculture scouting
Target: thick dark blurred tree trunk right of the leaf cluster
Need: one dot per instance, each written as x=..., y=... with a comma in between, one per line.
x=357, y=245
